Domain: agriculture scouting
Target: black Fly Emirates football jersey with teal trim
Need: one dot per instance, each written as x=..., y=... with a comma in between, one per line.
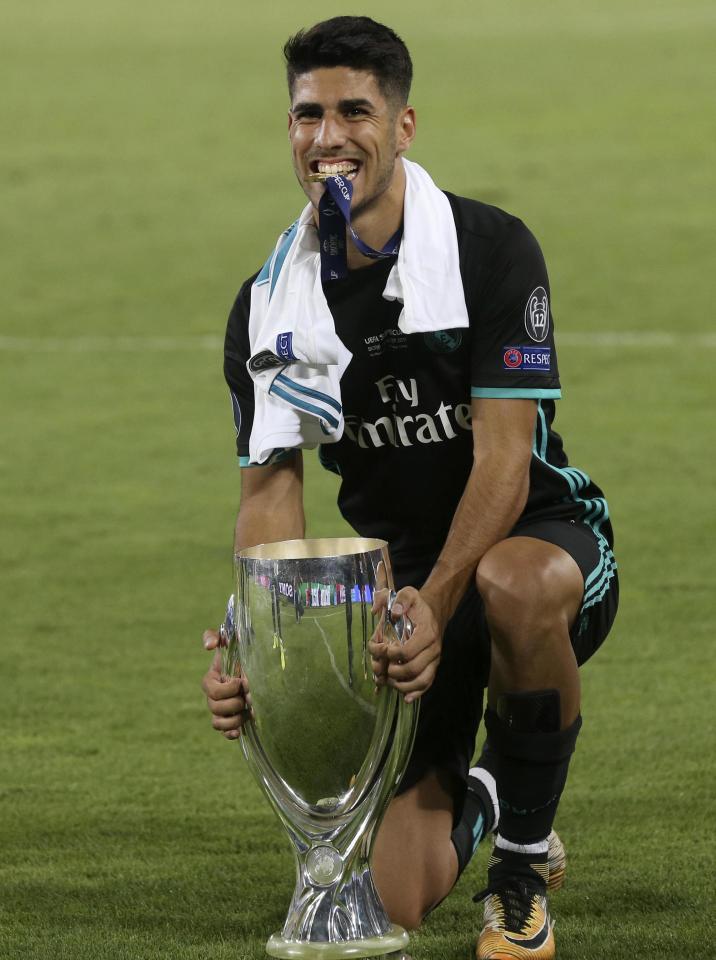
x=407, y=446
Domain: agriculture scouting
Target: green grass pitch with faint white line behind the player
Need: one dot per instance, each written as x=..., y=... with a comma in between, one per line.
x=144, y=172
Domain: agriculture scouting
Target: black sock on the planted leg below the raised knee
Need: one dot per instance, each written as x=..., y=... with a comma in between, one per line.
x=530, y=767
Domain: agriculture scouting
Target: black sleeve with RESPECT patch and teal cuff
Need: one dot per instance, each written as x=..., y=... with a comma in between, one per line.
x=512, y=330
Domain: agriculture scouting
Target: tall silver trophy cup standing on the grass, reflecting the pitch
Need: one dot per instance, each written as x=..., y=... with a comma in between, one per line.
x=327, y=749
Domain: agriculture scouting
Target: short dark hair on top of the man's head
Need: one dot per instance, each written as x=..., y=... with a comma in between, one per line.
x=356, y=42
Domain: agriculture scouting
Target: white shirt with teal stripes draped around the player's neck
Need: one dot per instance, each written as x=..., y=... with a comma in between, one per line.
x=297, y=360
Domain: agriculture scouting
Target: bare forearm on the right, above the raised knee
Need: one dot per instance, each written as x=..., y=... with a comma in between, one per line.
x=494, y=498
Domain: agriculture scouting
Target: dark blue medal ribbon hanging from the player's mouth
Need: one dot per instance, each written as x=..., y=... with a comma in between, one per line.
x=334, y=214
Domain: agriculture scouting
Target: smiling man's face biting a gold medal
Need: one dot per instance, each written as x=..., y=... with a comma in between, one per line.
x=340, y=122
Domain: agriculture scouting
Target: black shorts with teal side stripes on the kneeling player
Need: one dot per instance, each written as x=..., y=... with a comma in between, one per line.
x=451, y=710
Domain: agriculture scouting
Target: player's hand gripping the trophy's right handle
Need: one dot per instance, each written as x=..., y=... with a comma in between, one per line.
x=410, y=667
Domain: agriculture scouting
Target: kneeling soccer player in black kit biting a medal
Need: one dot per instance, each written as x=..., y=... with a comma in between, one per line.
x=443, y=437
